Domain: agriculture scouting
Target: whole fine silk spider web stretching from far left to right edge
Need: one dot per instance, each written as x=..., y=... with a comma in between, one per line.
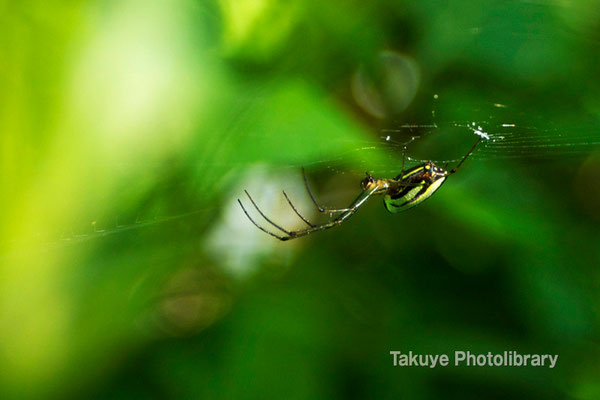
x=506, y=135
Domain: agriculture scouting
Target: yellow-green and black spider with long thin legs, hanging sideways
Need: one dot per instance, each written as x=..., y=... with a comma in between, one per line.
x=405, y=191
